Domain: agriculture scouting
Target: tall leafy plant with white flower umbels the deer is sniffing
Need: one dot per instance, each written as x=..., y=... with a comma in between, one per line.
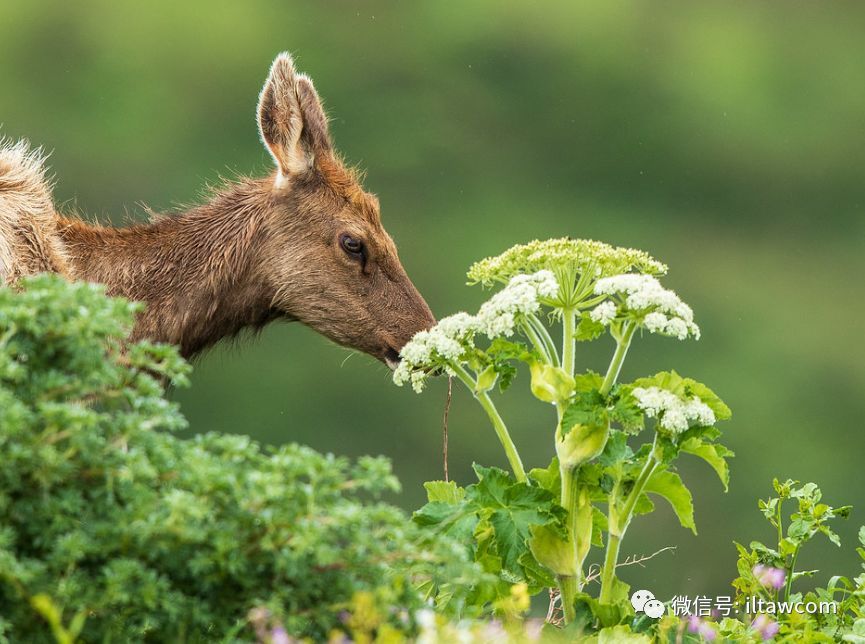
x=538, y=527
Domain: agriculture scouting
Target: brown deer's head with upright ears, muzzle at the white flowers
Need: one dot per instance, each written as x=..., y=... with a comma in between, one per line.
x=325, y=255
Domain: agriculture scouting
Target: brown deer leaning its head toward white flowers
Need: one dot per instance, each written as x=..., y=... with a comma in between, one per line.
x=304, y=243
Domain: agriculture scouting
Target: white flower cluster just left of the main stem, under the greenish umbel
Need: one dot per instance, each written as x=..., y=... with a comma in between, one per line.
x=522, y=295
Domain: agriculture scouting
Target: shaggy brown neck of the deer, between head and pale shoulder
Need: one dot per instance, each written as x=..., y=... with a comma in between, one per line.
x=194, y=271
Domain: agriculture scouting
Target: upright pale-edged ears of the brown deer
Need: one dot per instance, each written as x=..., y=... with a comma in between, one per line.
x=291, y=119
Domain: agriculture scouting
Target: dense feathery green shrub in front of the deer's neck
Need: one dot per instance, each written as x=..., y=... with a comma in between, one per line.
x=112, y=529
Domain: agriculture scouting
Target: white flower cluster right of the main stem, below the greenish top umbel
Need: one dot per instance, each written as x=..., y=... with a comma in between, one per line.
x=664, y=312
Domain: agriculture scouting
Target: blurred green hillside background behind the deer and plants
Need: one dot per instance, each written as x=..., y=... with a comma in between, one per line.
x=724, y=138
